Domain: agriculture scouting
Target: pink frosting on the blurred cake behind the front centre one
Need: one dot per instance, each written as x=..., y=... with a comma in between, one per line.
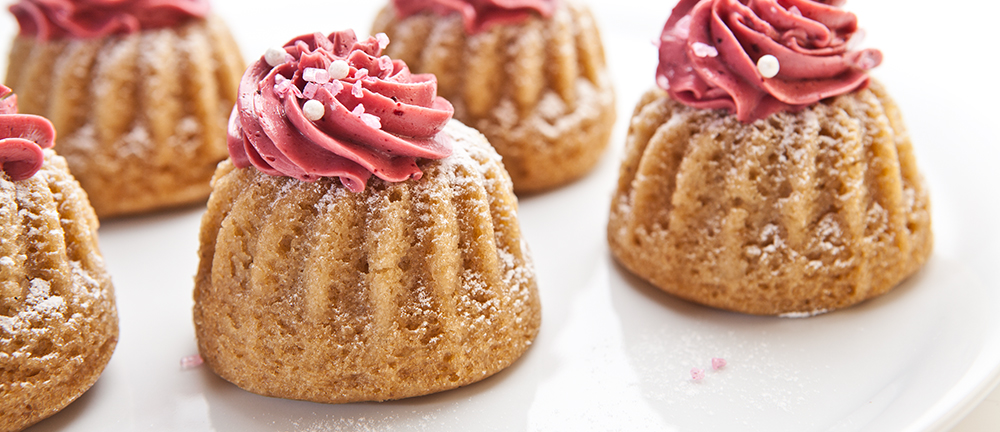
x=479, y=15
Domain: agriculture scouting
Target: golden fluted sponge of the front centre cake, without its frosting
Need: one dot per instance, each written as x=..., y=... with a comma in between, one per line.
x=309, y=291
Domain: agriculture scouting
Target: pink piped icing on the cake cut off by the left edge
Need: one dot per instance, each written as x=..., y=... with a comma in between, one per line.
x=22, y=138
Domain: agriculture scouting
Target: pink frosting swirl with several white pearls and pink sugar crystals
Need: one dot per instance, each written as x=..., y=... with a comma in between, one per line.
x=378, y=119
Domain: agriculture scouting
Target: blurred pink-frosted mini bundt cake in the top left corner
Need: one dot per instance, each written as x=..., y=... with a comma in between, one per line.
x=139, y=92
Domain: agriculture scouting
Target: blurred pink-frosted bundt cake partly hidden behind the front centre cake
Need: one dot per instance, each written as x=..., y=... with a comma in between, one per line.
x=530, y=77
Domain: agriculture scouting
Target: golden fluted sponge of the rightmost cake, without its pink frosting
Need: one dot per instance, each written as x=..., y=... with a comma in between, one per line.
x=798, y=214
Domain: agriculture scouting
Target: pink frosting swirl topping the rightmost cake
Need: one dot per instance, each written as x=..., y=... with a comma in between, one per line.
x=710, y=51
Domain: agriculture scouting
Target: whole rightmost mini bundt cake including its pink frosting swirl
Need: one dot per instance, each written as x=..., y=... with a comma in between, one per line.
x=782, y=199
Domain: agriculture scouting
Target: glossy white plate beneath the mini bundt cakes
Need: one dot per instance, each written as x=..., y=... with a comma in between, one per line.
x=614, y=353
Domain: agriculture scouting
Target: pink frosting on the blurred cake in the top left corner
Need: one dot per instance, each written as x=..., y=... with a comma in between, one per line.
x=80, y=19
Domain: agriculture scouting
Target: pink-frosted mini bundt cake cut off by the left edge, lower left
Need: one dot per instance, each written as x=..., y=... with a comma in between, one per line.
x=58, y=323
